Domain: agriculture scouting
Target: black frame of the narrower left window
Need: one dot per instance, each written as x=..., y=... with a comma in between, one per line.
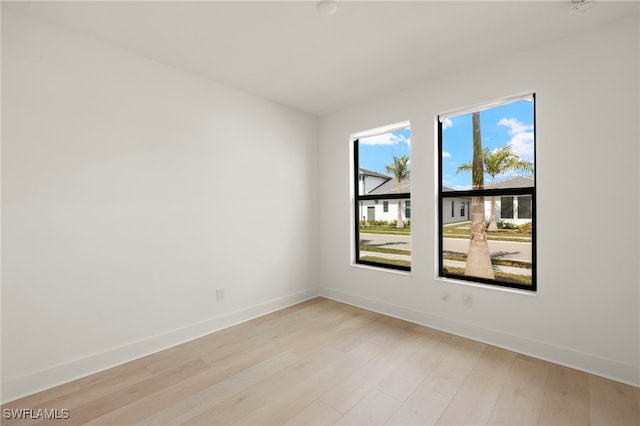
x=359, y=198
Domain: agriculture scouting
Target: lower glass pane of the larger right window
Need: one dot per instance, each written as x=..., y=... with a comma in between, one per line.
x=504, y=254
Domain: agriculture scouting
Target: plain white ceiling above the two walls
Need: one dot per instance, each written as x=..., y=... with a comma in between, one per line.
x=286, y=52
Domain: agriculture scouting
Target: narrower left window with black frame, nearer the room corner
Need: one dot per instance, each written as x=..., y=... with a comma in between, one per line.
x=382, y=168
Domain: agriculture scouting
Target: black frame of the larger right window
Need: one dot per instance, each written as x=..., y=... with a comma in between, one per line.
x=442, y=196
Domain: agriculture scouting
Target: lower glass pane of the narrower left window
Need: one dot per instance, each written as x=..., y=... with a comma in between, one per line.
x=381, y=240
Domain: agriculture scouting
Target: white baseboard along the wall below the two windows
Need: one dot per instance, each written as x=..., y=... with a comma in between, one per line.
x=611, y=369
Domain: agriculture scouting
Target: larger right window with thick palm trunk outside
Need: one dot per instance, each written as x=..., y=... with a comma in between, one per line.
x=487, y=159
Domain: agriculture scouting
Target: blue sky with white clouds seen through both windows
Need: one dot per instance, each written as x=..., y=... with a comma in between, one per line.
x=507, y=124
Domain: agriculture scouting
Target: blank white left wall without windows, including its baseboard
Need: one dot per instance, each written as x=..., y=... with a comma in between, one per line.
x=131, y=191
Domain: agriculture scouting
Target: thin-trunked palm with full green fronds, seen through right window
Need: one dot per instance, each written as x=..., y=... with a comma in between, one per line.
x=497, y=162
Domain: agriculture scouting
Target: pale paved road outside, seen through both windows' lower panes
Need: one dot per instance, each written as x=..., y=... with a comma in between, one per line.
x=513, y=250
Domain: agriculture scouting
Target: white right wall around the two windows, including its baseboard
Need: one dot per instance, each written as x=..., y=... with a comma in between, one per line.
x=586, y=312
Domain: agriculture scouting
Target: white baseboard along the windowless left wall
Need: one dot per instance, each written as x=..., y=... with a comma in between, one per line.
x=28, y=384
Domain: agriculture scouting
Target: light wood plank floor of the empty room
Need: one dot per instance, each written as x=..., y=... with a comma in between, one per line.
x=323, y=362
